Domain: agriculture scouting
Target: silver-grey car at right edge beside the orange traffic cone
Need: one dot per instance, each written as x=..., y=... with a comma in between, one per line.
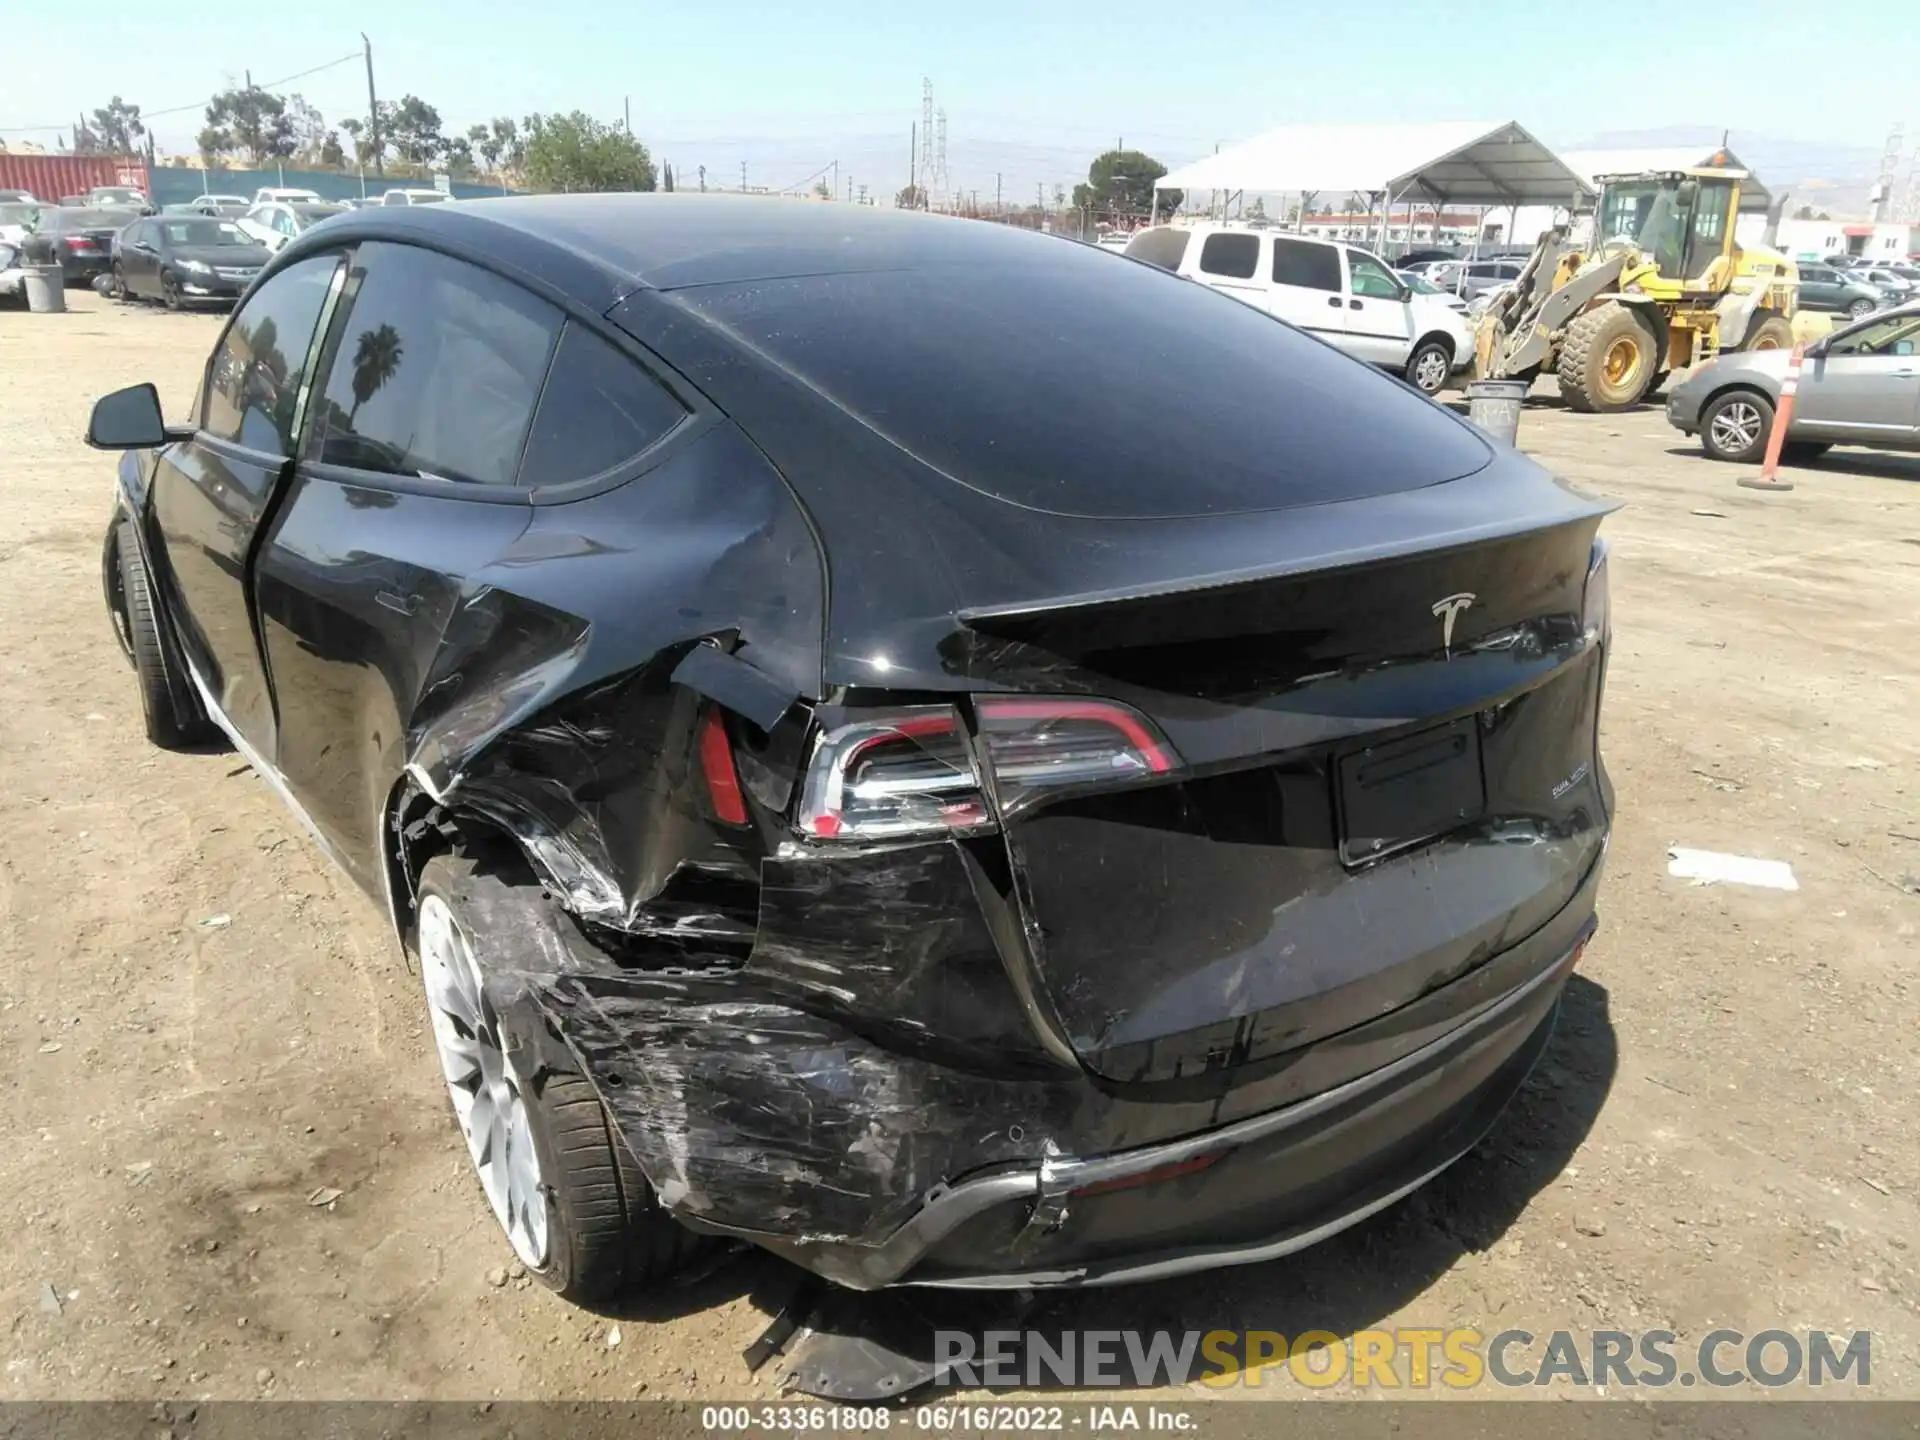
x=1858, y=387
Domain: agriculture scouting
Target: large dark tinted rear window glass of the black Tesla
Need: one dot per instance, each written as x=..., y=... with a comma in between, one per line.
x=1095, y=389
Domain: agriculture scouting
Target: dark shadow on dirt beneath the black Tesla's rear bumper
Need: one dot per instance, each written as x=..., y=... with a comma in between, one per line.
x=884, y=1345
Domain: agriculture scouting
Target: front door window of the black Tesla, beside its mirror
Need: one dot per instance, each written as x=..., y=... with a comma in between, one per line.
x=256, y=373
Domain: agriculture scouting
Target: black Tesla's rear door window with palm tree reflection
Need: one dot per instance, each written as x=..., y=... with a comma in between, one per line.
x=435, y=370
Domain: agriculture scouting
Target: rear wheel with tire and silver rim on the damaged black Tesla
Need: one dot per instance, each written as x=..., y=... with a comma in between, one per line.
x=587, y=1224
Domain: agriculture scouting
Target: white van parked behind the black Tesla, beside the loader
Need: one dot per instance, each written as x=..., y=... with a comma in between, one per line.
x=1337, y=293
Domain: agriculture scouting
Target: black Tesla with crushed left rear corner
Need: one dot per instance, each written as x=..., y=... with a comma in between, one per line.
x=1157, y=846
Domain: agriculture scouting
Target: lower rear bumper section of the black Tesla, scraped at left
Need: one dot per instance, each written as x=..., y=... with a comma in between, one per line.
x=1237, y=1195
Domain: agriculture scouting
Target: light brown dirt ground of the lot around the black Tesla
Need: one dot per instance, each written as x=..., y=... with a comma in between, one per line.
x=208, y=1032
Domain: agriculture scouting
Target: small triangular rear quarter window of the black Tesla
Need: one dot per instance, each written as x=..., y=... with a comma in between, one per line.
x=598, y=412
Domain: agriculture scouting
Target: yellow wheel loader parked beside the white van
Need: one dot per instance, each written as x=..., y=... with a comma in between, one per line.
x=1662, y=287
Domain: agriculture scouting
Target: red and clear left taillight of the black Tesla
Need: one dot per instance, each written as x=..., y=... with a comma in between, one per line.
x=919, y=771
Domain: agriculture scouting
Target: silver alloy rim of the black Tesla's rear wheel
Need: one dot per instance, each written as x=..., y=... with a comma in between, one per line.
x=483, y=1084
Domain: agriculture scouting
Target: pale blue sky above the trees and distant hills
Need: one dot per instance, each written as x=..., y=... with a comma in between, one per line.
x=1032, y=91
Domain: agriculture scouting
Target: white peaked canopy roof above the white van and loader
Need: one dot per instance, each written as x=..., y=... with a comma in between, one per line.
x=1451, y=164
